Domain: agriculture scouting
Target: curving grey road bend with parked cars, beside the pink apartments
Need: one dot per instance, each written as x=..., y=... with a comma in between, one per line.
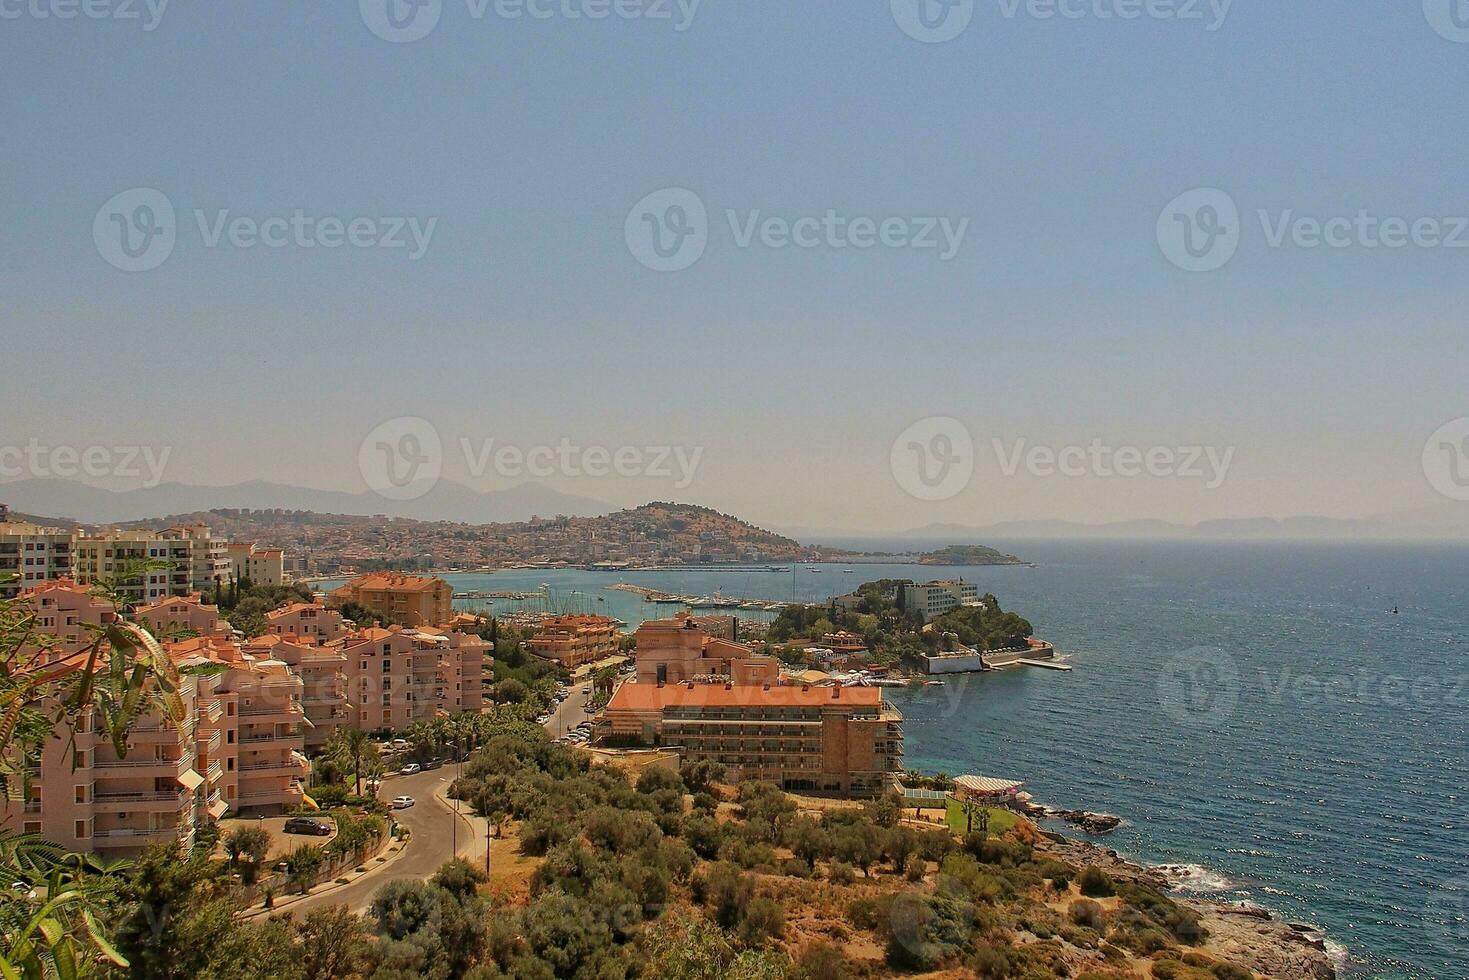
x=431, y=846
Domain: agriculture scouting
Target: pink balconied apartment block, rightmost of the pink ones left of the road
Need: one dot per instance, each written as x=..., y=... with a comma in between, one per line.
x=405, y=675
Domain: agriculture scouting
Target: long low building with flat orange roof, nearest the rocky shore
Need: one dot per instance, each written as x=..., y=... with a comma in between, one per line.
x=841, y=741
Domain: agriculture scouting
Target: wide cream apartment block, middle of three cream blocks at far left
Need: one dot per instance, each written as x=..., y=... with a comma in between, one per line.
x=199, y=562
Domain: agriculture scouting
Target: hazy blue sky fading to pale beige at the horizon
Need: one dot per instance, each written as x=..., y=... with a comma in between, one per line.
x=1020, y=290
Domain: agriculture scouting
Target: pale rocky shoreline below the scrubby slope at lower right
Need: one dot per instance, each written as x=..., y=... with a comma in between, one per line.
x=1246, y=935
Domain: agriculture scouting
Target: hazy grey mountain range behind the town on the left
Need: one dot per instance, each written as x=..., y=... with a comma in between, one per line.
x=446, y=502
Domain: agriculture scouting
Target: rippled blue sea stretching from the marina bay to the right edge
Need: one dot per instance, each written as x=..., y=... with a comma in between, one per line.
x=1280, y=724
